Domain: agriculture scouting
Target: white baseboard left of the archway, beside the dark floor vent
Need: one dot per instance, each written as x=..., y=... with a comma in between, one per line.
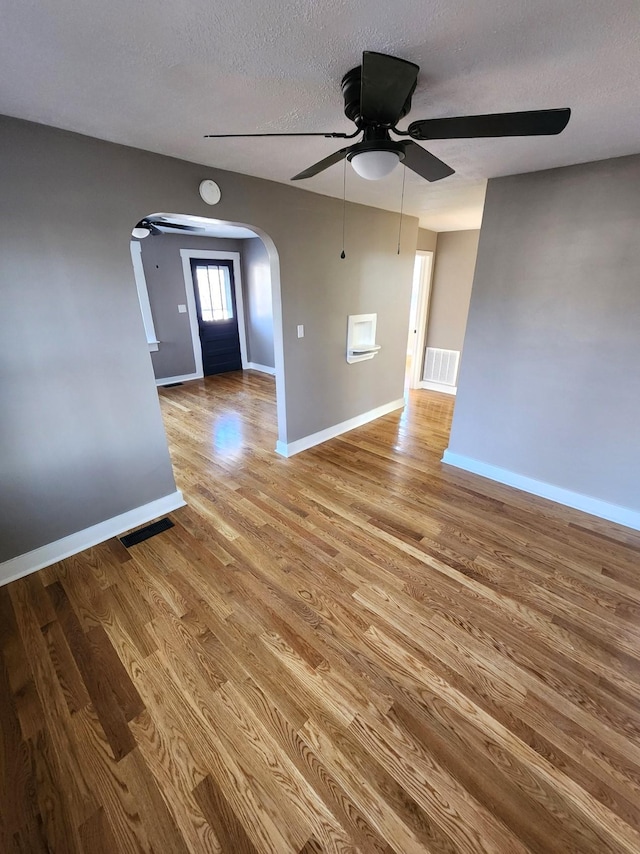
x=24, y=564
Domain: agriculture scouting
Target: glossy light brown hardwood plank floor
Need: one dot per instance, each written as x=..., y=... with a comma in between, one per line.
x=356, y=649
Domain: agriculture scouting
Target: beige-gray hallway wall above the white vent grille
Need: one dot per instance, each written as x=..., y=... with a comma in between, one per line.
x=455, y=262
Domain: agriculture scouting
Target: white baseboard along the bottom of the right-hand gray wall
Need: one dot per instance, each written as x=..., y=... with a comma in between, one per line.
x=586, y=503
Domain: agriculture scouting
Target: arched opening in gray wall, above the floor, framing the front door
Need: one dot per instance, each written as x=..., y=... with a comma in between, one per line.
x=171, y=258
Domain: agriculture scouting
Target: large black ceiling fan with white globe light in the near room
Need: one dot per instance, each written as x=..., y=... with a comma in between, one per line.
x=377, y=94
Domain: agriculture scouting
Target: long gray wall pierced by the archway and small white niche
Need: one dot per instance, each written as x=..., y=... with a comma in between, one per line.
x=82, y=438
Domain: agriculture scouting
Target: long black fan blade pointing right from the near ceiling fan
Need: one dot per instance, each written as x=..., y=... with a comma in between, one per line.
x=530, y=123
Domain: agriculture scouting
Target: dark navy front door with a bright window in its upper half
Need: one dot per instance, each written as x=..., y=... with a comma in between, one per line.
x=217, y=315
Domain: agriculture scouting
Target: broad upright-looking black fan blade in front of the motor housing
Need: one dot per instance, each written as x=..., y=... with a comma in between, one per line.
x=386, y=84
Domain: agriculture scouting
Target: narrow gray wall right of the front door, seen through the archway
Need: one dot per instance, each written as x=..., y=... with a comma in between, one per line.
x=258, y=304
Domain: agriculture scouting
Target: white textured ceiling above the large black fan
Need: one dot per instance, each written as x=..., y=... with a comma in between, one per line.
x=158, y=74
